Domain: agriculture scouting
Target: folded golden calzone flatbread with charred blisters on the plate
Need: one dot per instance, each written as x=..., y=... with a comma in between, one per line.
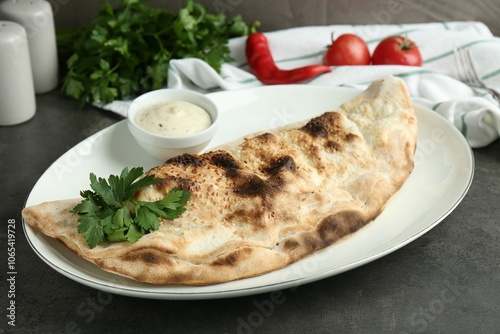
x=268, y=201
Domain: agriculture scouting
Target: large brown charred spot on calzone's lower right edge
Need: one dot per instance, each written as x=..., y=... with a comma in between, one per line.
x=337, y=226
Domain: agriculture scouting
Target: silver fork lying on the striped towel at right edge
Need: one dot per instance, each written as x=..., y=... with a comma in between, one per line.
x=467, y=72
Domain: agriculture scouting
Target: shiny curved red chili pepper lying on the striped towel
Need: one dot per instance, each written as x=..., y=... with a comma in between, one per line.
x=262, y=64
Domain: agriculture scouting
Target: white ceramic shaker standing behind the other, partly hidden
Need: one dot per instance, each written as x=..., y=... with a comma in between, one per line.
x=37, y=18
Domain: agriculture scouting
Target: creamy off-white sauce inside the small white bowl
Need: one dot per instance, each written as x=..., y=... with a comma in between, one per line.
x=173, y=119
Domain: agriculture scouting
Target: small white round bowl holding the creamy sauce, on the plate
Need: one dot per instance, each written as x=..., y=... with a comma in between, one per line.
x=166, y=147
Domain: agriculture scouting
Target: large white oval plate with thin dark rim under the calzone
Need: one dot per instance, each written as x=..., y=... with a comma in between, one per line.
x=443, y=173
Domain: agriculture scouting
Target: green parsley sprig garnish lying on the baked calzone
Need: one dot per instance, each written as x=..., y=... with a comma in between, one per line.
x=110, y=212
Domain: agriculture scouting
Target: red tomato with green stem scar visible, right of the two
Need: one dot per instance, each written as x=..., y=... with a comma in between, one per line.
x=397, y=50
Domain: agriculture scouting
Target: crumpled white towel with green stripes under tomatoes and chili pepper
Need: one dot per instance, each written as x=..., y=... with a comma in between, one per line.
x=435, y=85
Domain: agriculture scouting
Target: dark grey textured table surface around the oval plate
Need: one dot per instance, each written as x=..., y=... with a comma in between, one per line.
x=447, y=281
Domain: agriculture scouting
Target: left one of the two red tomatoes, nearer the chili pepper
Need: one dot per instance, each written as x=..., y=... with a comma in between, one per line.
x=347, y=49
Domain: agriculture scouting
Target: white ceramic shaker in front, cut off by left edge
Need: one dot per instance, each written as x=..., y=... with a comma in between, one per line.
x=17, y=93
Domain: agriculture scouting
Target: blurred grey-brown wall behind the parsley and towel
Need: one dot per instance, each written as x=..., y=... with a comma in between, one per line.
x=279, y=14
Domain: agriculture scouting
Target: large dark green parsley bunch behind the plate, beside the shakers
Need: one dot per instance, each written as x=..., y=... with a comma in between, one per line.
x=126, y=50
